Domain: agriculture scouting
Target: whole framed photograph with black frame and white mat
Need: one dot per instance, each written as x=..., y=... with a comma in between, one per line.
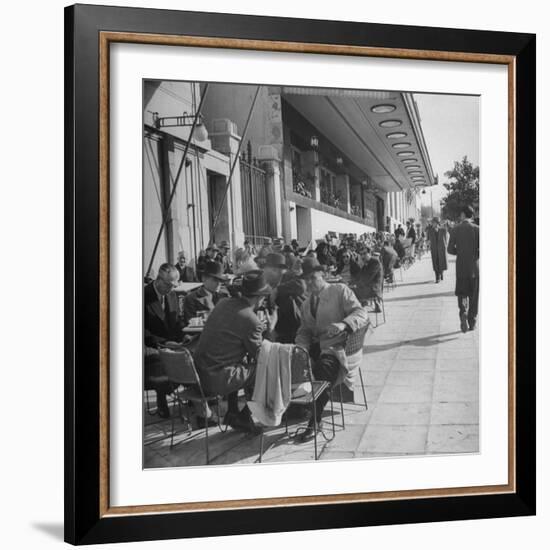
x=298, y=287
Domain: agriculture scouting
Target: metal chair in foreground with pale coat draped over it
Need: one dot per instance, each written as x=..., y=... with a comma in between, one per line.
x=301, y=371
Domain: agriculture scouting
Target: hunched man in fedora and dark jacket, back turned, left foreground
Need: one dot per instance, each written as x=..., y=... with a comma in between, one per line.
x=228, y=346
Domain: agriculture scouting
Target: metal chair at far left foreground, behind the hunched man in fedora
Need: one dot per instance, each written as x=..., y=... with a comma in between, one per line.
x=180, y=370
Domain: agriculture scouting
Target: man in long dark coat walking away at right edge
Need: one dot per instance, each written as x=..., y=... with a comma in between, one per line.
x=464, y=244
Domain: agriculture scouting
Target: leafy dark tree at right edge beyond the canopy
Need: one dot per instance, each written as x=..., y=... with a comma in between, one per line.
x=462, y=189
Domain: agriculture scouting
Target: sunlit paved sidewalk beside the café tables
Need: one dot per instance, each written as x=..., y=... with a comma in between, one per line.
x=421, y=377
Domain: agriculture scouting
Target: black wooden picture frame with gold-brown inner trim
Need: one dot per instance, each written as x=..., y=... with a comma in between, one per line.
x=89, y=32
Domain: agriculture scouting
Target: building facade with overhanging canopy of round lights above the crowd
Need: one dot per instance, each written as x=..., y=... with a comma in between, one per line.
x=310, y=161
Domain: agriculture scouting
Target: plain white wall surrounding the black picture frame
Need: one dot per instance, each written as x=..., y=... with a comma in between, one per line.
x=31, y=466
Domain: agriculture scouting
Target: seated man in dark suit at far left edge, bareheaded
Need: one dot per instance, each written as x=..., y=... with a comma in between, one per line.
x=161, y=324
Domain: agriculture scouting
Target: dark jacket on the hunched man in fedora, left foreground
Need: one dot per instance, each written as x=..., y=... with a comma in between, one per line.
x=232, y=332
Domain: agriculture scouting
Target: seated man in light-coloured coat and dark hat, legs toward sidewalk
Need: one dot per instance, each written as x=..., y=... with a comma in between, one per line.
x=329, y=312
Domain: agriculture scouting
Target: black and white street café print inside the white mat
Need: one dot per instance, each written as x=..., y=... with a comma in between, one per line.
x=310, y=274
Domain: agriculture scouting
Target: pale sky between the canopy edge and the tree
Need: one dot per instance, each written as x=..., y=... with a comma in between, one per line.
x=451, y=129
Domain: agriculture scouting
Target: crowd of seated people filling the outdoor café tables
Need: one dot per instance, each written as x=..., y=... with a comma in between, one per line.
x=310, y=296
